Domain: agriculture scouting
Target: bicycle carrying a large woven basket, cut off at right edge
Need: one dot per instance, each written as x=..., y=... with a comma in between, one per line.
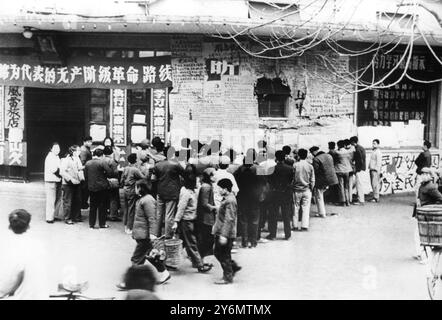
x=430, y=232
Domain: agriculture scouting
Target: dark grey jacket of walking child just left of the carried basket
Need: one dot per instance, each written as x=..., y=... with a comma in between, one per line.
x=144, y=220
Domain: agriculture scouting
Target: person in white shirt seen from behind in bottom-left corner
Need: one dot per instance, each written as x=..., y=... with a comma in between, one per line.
x=23, y=270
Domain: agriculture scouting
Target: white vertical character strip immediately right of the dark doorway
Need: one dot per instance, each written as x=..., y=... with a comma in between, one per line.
x=118, y=116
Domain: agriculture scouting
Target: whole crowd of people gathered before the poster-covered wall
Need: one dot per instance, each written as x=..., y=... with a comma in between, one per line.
x=207, y=196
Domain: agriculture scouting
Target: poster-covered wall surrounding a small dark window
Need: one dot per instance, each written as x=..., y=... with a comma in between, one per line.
x=214, y=95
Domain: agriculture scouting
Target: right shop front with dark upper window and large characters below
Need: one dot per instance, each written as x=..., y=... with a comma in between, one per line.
x=402, y=114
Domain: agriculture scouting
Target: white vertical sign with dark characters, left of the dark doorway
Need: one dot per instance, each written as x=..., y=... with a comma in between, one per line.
x=14, y=107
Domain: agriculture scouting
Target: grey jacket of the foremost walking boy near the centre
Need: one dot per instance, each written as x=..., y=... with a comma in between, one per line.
x=225, y=223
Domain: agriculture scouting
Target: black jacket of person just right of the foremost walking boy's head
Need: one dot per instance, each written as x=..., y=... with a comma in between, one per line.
x=250, y=184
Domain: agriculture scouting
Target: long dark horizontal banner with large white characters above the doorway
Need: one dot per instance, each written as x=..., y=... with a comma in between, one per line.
x=88, y=73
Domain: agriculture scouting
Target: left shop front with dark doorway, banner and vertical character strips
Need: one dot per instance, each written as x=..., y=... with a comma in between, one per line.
x=42, y=103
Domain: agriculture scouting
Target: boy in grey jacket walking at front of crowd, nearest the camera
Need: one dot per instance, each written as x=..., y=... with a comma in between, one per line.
x=224, y=231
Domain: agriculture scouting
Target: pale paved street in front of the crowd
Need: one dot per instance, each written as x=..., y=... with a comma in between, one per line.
x=362, y=253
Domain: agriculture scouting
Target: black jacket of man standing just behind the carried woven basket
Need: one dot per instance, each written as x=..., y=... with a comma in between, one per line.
x=167, y=174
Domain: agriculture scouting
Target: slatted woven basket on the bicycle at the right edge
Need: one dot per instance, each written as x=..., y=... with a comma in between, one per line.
x=429, y=220
